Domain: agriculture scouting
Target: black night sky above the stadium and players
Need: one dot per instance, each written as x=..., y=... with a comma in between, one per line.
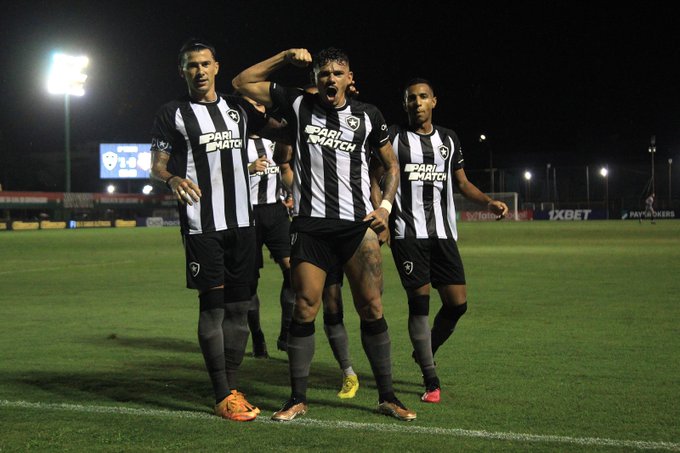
x=573, y=83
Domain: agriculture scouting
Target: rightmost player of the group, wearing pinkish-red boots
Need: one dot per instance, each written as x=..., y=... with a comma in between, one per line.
x=423, y=226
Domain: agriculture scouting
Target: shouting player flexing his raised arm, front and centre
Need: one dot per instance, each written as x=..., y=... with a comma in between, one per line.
x=334, y=221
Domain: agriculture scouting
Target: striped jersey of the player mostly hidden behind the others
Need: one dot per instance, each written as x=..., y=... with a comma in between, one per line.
x=265, y=186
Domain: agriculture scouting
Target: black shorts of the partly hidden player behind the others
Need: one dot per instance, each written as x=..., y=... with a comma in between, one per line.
x=273, y=230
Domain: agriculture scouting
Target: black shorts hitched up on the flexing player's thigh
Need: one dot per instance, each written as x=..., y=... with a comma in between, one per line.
x=326, y=243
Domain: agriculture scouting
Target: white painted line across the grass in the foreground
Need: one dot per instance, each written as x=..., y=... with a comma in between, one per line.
x=396, y=427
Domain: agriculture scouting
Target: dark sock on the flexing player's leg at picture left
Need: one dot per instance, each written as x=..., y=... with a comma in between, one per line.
x=300, y=354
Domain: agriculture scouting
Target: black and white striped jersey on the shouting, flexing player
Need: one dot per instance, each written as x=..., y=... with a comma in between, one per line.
x=331, y=153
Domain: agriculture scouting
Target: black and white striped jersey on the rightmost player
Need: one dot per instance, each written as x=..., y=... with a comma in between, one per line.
x=423, y=205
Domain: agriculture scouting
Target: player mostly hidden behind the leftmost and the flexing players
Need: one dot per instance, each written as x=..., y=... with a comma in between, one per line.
x=267, y=182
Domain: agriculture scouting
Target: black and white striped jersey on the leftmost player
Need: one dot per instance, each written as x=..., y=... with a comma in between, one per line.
x=207, y=144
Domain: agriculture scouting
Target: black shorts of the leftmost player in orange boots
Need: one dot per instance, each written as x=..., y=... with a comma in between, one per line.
x=218, y=258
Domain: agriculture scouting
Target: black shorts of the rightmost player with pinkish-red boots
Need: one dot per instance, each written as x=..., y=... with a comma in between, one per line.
x=423, y=261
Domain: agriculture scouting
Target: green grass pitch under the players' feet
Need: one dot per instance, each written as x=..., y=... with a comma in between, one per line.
x=571, y=343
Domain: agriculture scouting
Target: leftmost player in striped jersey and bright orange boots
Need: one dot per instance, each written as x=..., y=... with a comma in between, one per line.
x=199, y=152
